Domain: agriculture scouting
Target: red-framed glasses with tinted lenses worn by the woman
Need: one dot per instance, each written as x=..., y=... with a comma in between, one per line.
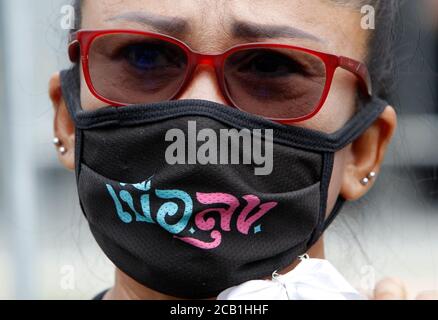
x=280, y=82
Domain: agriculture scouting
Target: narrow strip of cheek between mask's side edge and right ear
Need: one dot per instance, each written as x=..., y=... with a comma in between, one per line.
x=339, y=167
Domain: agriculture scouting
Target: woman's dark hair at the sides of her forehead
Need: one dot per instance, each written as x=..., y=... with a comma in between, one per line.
x=381, y=43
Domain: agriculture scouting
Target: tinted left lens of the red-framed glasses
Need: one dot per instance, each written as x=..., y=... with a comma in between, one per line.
x=134, y=69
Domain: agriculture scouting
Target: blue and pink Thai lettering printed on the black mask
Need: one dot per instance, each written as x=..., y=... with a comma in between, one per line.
x=252, y=211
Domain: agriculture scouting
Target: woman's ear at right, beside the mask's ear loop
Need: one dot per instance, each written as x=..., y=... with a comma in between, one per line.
x=366, y=154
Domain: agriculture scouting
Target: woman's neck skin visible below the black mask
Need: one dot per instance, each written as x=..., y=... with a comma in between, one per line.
x=126, y=288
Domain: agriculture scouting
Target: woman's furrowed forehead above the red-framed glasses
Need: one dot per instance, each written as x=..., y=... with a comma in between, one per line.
x=209, y=24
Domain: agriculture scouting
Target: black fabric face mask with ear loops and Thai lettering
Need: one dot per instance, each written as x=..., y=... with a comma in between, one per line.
x=193, y=230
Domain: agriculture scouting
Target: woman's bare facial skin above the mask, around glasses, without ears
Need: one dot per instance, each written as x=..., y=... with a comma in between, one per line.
x=212, y=26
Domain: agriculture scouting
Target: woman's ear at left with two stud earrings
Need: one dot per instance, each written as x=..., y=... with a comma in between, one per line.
x=64, y=128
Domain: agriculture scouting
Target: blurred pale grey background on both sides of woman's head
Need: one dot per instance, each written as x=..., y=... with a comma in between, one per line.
x=46, y=249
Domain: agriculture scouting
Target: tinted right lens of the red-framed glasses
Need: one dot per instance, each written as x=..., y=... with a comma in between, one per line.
x=275, y=83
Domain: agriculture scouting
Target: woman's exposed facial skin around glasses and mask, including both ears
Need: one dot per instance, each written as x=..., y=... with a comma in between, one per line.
x=213, y=26
